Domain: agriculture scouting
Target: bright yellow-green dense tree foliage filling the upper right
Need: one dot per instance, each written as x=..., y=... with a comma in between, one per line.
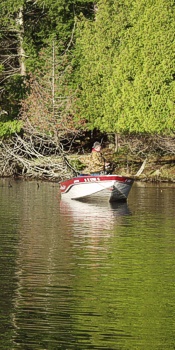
x=127, y=66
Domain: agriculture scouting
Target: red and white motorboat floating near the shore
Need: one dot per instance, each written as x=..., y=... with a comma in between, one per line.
x=94, y=187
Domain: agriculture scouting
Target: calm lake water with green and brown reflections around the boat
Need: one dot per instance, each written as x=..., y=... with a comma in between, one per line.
x=83, y=276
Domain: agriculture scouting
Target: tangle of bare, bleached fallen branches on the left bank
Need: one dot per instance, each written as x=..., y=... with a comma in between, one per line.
x=33, y=156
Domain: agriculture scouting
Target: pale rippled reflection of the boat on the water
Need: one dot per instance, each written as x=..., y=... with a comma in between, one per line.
x=94, y=217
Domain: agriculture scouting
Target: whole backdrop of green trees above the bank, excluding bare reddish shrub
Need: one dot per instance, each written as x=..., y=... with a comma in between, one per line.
x=122, y=54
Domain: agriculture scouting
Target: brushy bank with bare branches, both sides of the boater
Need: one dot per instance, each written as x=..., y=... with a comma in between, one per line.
x=152, y=158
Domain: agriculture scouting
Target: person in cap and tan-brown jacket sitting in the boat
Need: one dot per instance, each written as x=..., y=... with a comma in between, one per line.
x=97, y=163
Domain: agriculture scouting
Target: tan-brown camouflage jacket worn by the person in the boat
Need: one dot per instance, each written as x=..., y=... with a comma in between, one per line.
x=96, y=163
